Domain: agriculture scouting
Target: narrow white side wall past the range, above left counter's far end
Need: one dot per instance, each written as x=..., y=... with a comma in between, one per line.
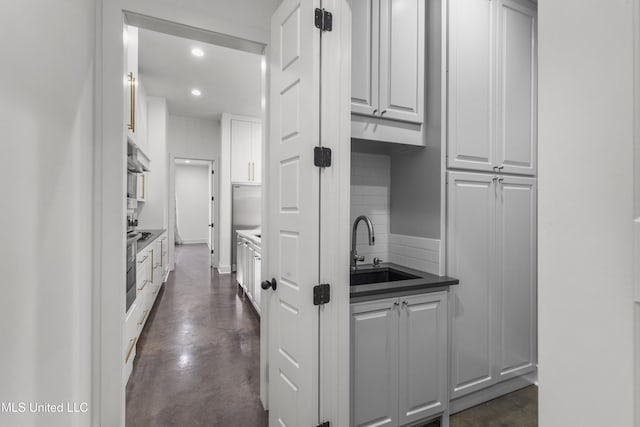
x=154, y=212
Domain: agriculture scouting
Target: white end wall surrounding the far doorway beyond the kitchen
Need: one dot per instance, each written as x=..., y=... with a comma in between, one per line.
x=192, y=138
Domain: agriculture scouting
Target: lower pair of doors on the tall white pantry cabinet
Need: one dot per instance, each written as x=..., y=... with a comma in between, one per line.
x=491, y=250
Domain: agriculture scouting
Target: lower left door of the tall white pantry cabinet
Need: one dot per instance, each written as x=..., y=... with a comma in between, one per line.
x=470, y=258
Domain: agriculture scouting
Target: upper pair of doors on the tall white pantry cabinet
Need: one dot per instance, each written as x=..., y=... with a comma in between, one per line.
x=492, y=102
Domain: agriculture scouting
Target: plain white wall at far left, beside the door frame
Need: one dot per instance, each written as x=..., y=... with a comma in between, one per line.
x=46, y=117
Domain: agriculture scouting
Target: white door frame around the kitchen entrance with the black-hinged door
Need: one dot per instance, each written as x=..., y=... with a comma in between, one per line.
x=108, y=394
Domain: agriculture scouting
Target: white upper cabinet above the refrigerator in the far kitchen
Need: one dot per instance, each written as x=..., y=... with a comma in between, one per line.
x=246, y=149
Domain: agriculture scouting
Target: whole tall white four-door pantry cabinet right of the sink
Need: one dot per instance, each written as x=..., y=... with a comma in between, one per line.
x=491, y=196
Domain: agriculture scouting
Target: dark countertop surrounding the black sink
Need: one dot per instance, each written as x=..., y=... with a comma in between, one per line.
x=426, y=282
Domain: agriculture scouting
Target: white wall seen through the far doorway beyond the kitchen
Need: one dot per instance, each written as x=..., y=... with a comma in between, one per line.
x=192, y=202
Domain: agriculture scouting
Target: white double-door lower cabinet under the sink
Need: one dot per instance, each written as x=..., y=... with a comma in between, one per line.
x=399, y=360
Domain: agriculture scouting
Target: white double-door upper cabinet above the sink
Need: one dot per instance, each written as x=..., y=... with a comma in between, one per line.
x=388, y=59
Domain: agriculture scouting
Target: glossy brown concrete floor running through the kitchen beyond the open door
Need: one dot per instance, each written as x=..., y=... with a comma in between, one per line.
x=198, y=356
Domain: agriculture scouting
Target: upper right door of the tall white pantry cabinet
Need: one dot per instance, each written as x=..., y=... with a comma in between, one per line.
x=516, y=89
